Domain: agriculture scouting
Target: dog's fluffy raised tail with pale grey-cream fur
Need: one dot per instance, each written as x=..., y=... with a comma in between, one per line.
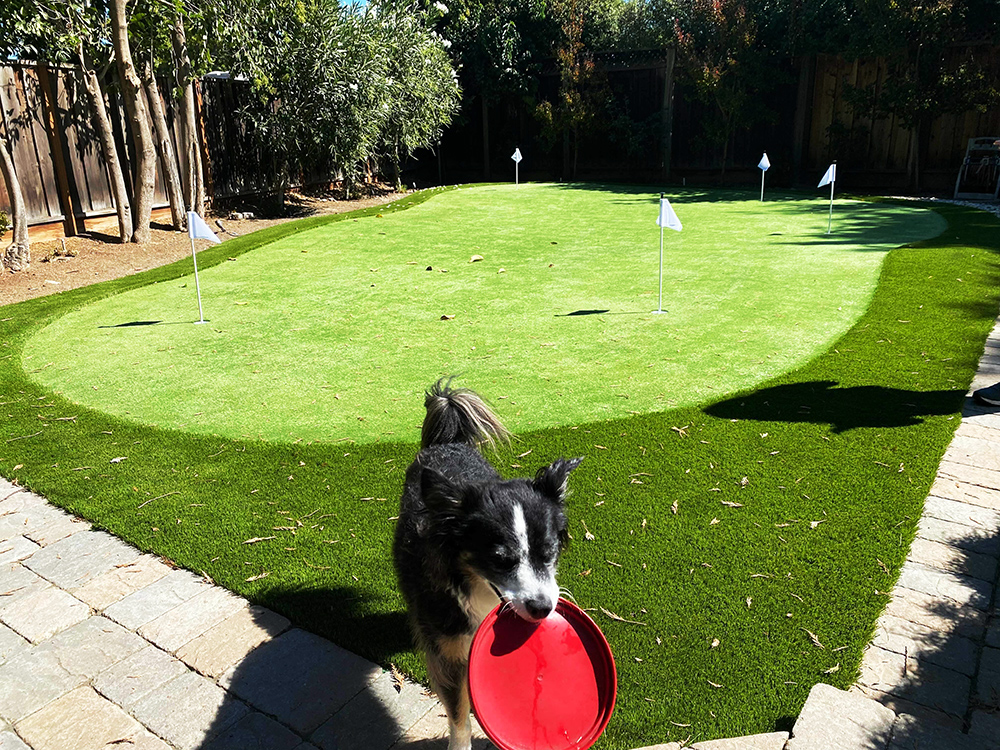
x=458, y=415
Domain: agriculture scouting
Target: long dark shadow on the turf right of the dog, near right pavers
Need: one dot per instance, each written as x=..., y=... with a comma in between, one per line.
x=822, y=402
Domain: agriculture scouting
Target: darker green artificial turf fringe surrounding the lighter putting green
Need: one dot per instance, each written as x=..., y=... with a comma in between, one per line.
x=796, y=498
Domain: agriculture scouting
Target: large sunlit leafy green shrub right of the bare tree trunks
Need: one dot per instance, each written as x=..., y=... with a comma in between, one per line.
x=338, y=86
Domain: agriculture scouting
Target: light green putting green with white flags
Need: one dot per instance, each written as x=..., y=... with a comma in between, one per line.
x=335, y=332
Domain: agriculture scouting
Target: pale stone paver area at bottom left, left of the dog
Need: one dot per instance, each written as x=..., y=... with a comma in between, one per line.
x=102, y=646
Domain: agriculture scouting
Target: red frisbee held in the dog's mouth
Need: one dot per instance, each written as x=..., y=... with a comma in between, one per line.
x=542, y=686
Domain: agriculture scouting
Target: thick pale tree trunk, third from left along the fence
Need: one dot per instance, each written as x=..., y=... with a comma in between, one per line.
x=138, y=116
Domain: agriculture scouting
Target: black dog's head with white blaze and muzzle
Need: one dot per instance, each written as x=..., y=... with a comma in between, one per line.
x=509, y=532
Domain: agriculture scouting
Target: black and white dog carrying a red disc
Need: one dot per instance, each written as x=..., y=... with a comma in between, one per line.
x=465, y=535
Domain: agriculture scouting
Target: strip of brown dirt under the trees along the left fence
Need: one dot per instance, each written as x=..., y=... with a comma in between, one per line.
x=94, y=257
